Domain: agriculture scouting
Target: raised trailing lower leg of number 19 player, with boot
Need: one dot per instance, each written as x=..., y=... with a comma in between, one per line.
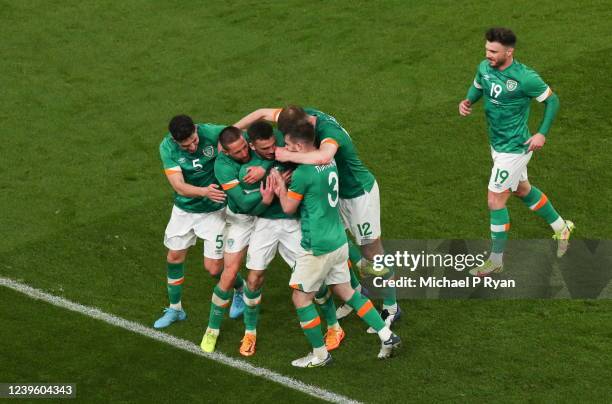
x=539, y=203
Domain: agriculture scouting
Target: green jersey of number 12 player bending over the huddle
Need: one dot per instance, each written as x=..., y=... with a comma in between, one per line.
x=355, y=178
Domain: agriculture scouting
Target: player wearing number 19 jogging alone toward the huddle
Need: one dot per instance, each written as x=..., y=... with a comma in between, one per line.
x=508, y=87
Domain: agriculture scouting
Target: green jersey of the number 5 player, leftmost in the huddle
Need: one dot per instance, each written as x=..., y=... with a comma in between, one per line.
x=197, y=168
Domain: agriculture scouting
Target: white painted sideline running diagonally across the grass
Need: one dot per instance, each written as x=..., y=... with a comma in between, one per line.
x=175, y=342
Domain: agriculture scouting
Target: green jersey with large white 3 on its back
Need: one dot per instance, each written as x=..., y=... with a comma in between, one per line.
x=318, y=190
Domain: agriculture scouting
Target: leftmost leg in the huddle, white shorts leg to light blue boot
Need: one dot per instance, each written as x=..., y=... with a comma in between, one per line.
x=178, y=237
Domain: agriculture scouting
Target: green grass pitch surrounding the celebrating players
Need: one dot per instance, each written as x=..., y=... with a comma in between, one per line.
x=88, y=89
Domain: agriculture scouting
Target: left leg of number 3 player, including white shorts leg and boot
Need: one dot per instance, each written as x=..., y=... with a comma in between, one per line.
x=306, y=279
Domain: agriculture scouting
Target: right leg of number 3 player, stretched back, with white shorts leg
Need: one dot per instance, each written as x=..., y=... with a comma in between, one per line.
x=338, y=278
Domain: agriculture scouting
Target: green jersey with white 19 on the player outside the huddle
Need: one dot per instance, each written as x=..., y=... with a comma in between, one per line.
x=507, y=99
